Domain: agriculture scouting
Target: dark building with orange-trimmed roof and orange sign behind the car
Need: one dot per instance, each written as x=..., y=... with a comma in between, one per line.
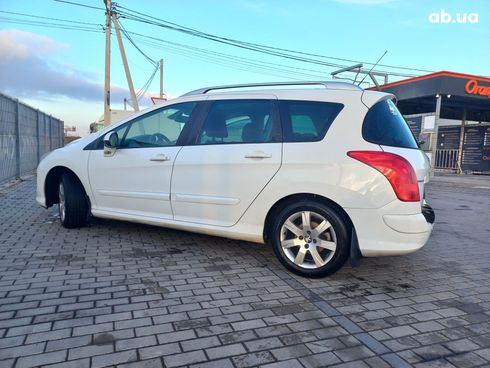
x=449, y=113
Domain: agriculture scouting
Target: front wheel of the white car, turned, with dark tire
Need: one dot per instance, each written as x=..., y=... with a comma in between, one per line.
x=72, y=202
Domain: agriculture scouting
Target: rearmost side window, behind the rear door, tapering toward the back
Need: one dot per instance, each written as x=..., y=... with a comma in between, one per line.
x=306, y=121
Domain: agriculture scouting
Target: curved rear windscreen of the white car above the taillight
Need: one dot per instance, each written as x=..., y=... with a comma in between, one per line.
x=385, y=125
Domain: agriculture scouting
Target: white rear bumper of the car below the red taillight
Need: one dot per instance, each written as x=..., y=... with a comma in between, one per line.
x=383, y=232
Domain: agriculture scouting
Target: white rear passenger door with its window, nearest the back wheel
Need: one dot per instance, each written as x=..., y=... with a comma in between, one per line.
x=236, y=153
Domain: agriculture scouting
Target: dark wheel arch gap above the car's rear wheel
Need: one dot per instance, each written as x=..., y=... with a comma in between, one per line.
x=283, y=202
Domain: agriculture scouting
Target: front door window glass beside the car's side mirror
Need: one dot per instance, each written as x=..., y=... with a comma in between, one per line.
x=159, y=128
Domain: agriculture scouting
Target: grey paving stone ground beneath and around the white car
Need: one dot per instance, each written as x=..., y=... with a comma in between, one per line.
x=129, y=295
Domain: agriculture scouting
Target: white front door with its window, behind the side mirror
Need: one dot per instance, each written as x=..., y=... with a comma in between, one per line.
x=136, y=180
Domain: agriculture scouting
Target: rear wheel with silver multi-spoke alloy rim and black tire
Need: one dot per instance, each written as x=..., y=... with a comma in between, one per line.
x=310, y=239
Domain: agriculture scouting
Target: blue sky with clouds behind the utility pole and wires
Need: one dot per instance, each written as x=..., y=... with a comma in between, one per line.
x=61, y=70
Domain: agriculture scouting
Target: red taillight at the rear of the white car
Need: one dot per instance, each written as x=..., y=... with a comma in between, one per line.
x=396, y=169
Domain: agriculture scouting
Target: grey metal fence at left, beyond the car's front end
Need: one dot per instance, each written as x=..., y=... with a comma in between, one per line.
x=25, y=135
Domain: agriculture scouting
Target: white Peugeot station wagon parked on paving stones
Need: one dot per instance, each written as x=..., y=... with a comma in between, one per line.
x=322, y=171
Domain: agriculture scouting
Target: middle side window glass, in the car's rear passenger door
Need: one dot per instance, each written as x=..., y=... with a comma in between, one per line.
x=237, y=121
